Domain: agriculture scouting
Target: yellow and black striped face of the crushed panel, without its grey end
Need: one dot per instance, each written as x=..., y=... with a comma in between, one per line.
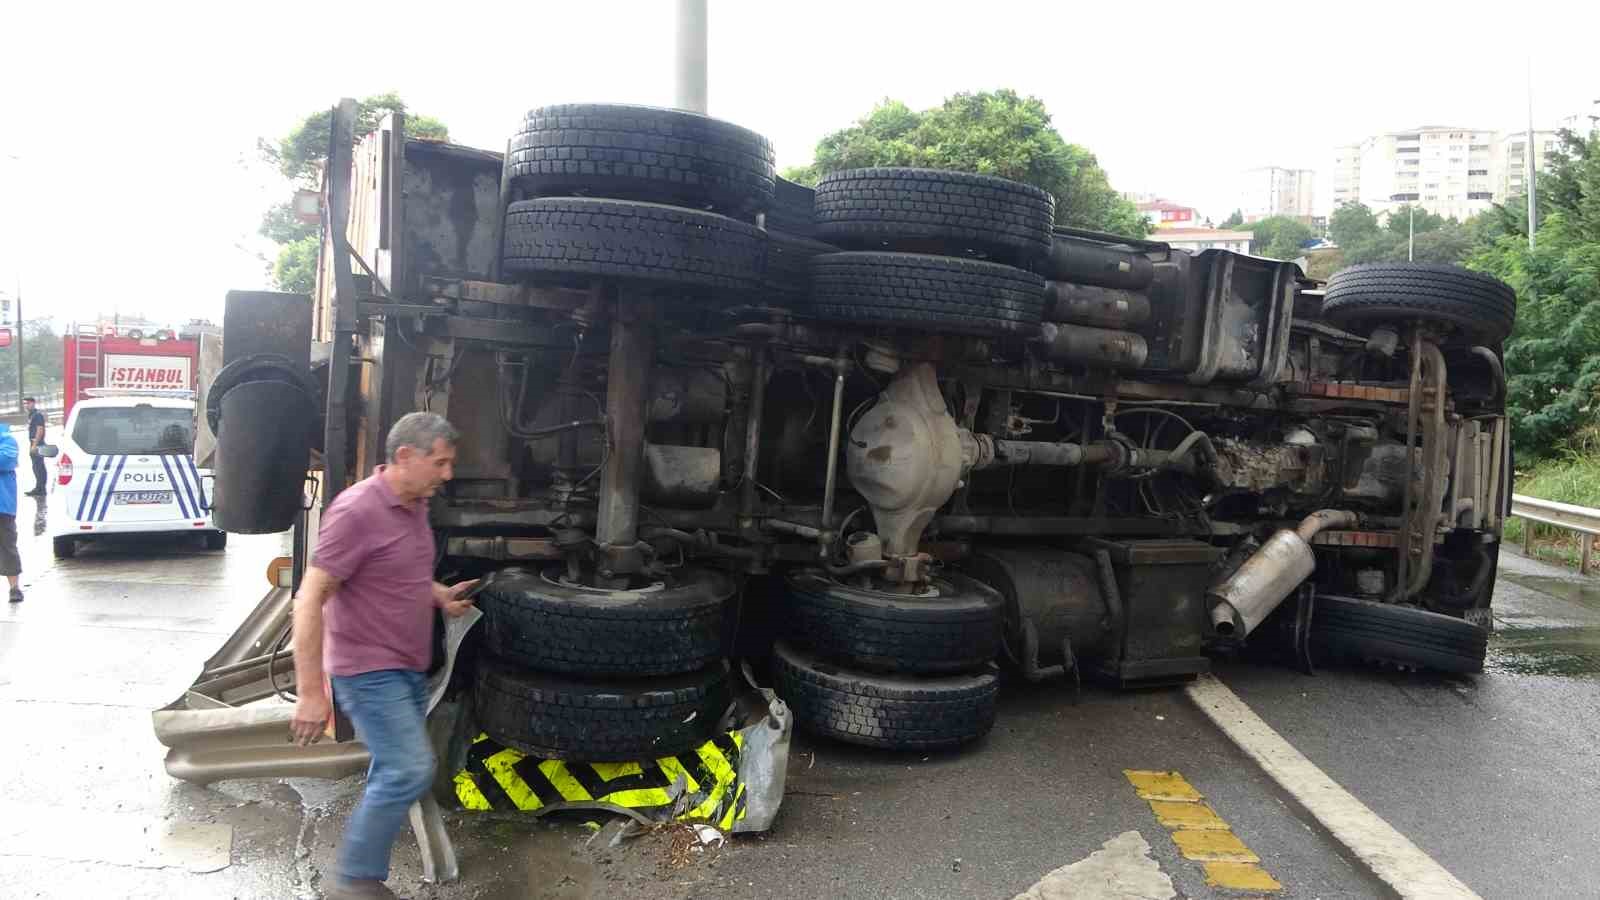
x=506, y=781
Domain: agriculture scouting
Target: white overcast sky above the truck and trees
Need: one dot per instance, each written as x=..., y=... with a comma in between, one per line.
x=129, y=174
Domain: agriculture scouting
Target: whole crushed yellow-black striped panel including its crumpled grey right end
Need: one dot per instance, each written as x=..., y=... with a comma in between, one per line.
x=734, y=782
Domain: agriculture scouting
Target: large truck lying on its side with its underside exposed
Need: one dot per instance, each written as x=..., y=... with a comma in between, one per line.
x=887, y=435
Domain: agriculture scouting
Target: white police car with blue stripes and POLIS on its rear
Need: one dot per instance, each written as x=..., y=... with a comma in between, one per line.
x=126, y=465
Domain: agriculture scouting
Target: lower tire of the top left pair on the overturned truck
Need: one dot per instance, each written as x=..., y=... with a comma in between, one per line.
x=575, y=239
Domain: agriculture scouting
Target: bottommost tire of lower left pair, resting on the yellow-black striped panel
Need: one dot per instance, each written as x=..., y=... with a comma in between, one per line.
x=599, y=721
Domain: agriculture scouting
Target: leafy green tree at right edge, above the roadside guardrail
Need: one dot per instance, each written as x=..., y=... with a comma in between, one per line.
x=1553, y=360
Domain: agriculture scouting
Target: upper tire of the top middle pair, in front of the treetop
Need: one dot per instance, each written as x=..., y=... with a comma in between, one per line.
x=937, y=212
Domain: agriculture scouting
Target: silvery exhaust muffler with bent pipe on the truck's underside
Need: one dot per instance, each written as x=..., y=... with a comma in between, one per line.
x=1246, y=600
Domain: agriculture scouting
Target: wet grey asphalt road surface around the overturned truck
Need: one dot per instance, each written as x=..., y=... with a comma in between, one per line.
x=1494, y=776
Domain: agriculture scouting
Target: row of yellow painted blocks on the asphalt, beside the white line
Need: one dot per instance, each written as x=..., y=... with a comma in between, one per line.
x=1201, y=834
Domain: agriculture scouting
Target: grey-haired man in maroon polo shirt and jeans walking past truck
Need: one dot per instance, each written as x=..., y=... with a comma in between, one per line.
x=366, y=617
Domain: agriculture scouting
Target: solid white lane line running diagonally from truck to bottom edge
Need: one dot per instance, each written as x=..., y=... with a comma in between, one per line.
x=1388, y=853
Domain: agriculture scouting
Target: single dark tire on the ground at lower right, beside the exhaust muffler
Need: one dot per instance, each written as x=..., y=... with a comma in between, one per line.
x=1386, y=633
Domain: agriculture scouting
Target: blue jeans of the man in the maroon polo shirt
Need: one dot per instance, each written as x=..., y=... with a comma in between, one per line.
x=388, y=709
